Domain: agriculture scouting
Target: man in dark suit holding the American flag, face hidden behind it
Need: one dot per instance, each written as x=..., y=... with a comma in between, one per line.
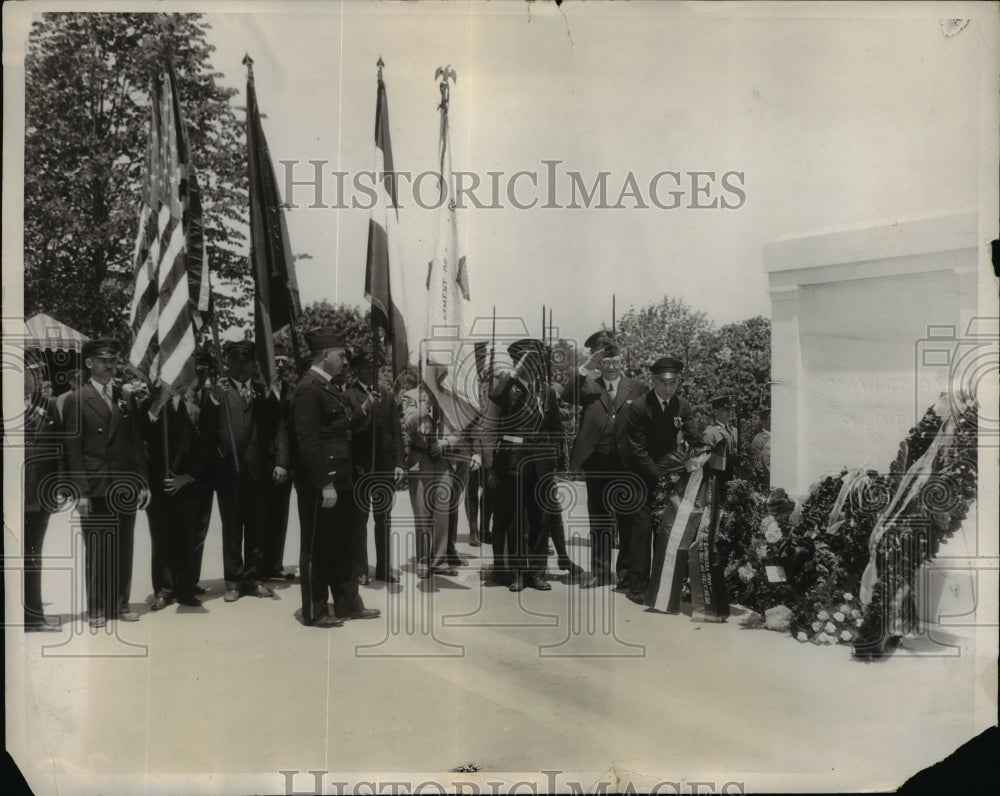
x=178, y=463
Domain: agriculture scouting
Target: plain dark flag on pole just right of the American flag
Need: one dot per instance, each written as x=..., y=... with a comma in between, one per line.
x=276, y=293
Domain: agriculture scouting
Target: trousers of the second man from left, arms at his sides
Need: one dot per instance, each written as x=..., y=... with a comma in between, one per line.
x=108, y=534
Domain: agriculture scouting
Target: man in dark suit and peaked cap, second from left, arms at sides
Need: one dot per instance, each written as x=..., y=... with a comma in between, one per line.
x=105, y=455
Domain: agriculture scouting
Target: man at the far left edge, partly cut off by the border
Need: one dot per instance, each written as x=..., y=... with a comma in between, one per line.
x=41, y=464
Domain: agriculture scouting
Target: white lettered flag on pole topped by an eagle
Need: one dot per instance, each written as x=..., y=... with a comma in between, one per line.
x=448, y=361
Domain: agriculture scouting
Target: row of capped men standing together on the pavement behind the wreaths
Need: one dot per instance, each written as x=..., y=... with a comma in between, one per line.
x=244, y=443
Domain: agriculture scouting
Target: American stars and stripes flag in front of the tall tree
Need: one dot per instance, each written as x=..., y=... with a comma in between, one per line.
x=171, y=273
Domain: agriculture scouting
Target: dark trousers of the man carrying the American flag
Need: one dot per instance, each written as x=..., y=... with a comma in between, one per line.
x=173, y=523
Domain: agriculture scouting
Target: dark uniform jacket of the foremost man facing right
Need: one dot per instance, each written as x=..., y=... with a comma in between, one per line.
x=317, y=434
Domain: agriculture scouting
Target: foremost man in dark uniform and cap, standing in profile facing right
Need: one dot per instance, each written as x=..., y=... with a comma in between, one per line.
x=318, y=433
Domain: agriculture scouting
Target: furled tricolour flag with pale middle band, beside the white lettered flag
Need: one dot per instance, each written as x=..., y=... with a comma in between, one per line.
x=384, y=285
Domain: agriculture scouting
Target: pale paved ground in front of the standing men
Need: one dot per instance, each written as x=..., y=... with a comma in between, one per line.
x=224, y=698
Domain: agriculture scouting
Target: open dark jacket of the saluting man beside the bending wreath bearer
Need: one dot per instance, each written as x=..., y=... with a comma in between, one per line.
x=598, y=410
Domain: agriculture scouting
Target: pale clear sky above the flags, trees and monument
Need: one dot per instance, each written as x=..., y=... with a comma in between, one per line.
x=831, y=118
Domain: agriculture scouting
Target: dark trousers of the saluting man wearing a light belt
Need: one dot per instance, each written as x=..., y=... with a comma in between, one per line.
x=520, y=532
